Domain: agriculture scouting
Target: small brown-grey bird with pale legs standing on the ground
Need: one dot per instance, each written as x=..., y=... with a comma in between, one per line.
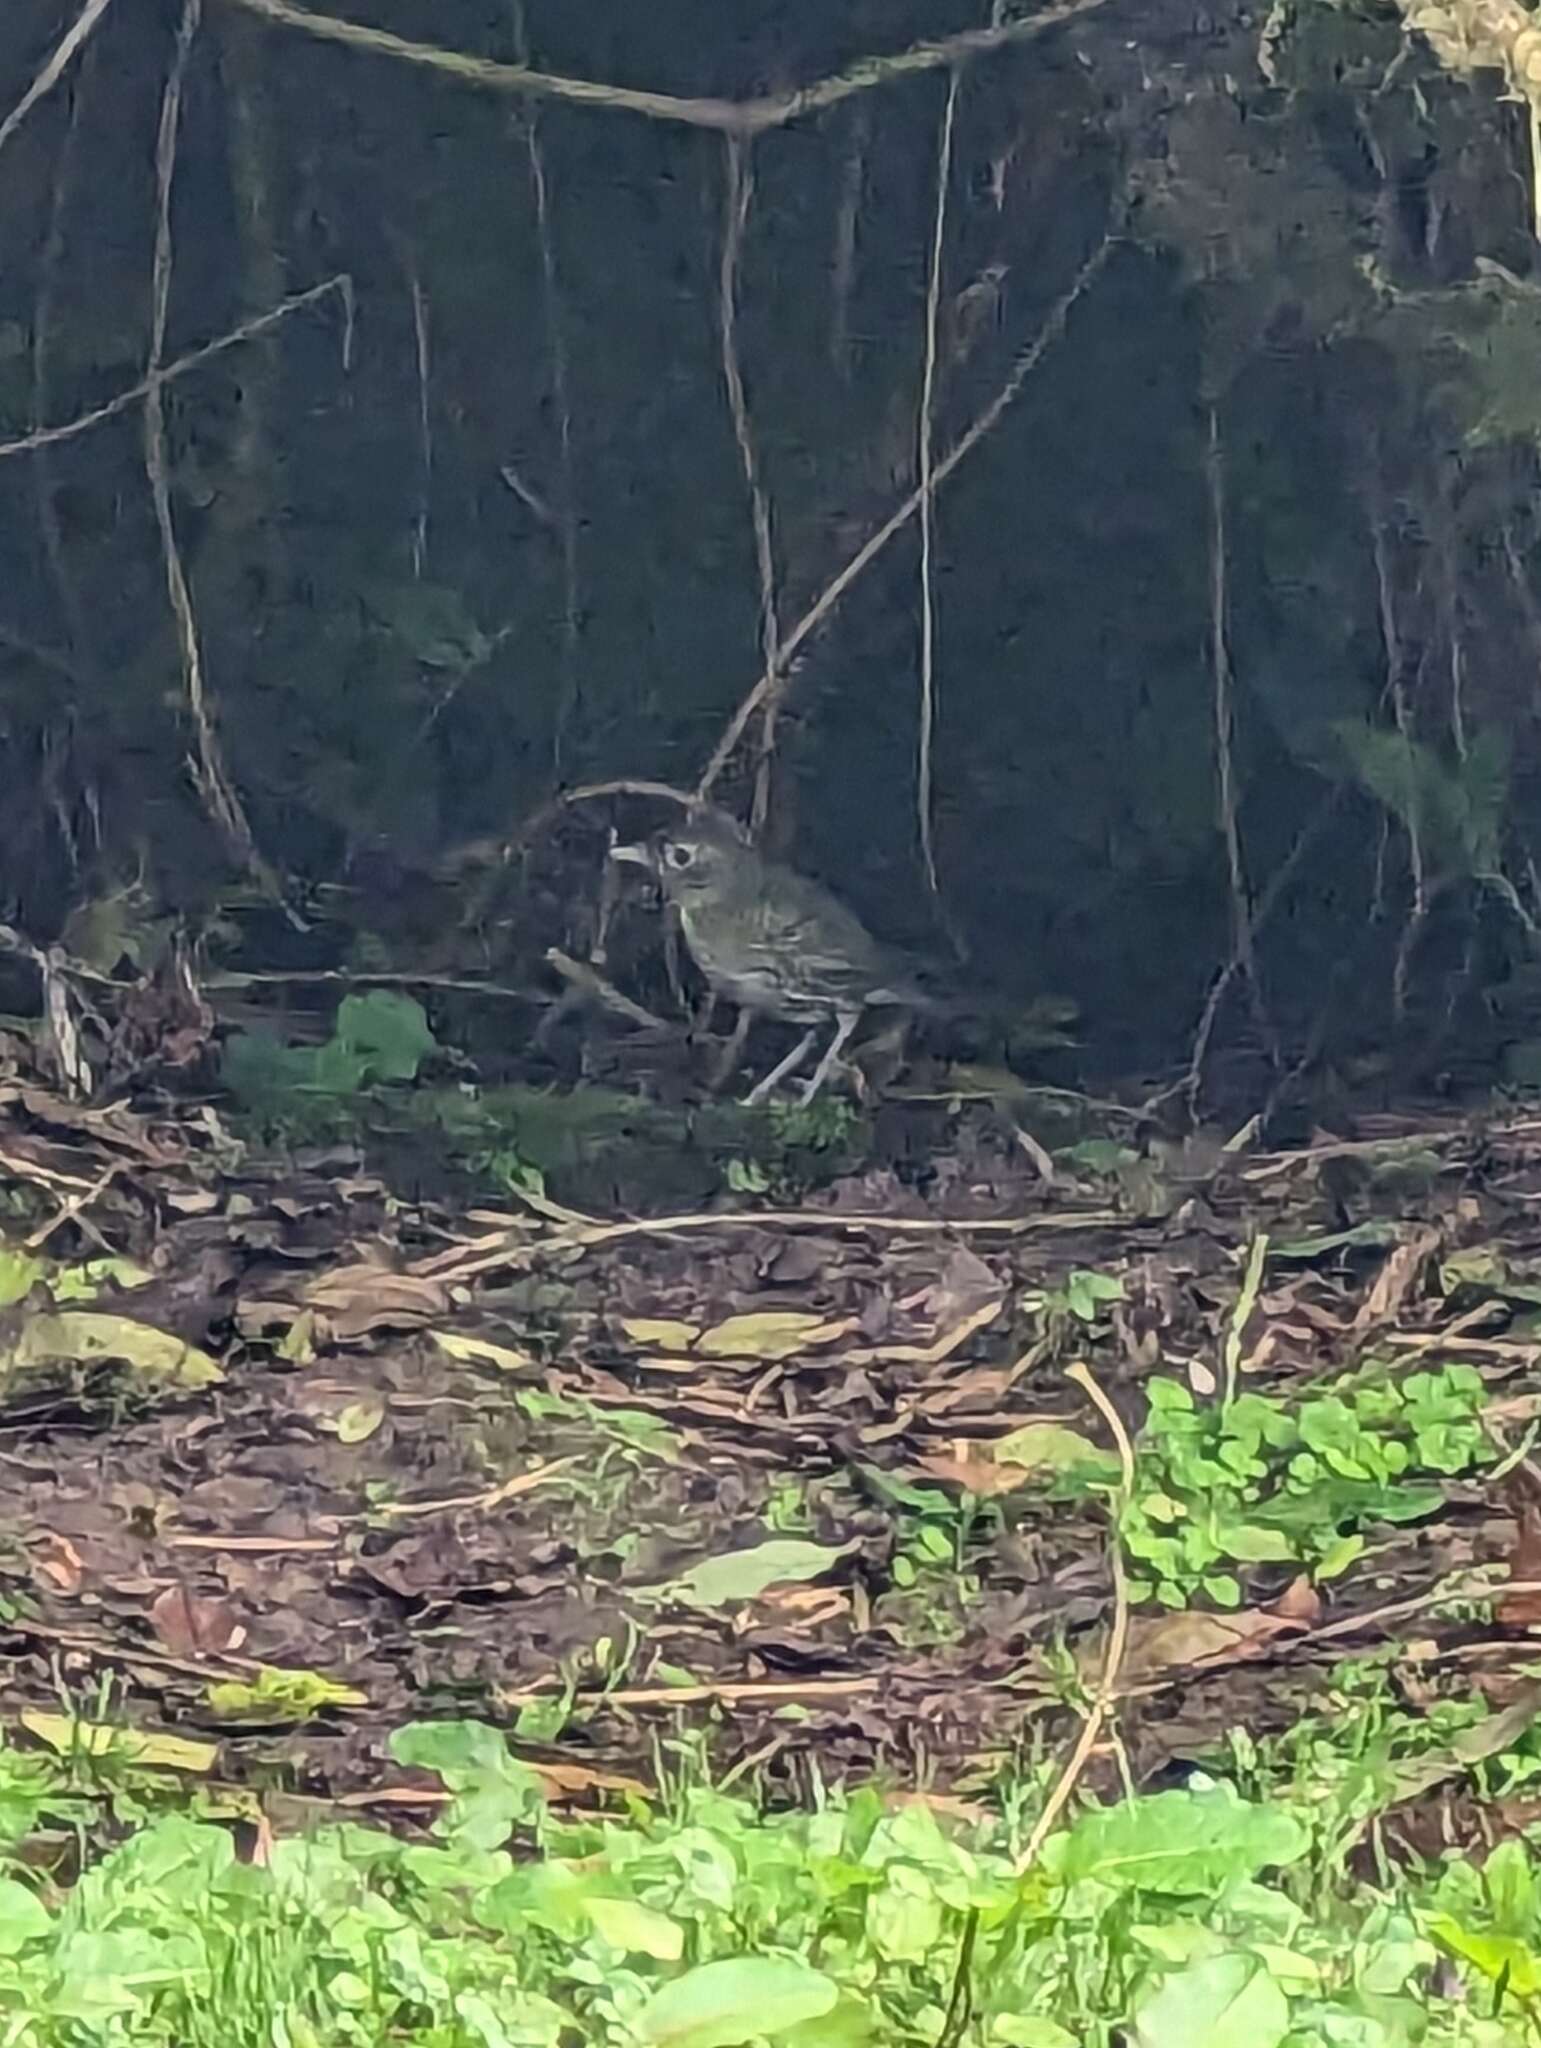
x=774, y=941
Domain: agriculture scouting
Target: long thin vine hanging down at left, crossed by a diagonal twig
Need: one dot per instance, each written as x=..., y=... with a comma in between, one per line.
x=208, y=771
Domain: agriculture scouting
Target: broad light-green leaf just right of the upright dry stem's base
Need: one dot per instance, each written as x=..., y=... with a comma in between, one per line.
x=1179, y=1842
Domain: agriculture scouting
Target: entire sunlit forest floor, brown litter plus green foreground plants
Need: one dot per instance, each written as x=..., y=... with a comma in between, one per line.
x=1087, y=1598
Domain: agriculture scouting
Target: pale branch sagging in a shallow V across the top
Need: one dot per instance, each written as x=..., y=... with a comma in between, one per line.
x=733, y=118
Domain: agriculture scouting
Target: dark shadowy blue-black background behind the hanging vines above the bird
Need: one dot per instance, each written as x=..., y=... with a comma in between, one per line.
x=405, y=654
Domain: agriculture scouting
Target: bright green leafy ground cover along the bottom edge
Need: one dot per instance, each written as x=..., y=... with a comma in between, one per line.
x=696, y=1916
